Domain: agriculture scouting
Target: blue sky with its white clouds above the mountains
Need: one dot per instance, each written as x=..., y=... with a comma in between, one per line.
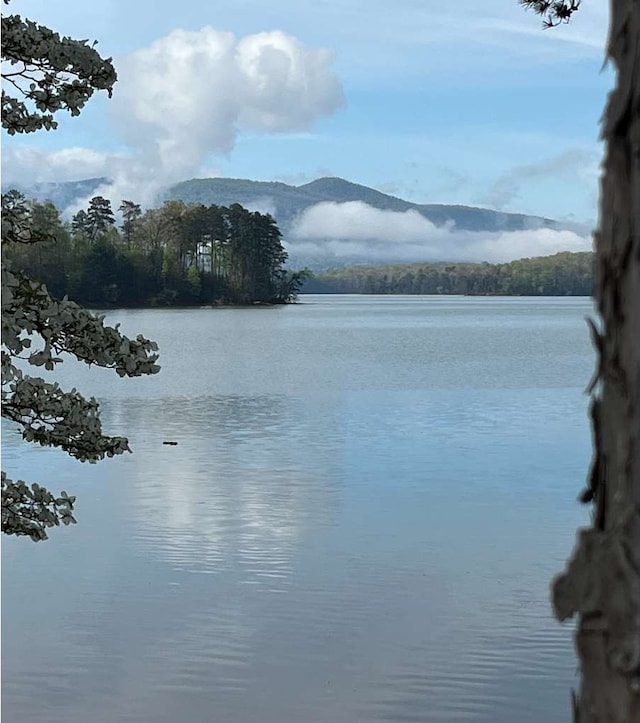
x=464, y=102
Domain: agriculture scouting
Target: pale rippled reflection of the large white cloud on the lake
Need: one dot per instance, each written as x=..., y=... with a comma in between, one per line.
x=248, y=476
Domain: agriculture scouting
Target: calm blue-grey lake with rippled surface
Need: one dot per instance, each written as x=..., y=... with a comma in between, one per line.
x=367, y=501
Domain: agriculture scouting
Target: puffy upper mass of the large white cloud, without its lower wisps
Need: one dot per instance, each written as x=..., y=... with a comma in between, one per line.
x=187, y=95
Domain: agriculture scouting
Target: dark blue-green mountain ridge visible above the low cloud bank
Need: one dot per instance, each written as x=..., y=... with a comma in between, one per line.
x=285, y=202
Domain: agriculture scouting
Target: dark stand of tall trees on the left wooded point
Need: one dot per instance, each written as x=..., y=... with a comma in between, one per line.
x=179, y=254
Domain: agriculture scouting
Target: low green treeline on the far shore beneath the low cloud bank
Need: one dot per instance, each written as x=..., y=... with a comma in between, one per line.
x=563, y=274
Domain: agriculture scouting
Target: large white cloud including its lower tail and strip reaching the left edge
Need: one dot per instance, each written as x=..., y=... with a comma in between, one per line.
x=184, y=99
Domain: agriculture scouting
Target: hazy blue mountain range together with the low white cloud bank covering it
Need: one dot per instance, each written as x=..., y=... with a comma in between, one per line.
x=322, y=237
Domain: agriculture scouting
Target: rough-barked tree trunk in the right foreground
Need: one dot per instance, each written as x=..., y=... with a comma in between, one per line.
x=601, y=583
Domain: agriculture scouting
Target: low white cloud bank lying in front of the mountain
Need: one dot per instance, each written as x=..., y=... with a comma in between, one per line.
x=355, y=231
